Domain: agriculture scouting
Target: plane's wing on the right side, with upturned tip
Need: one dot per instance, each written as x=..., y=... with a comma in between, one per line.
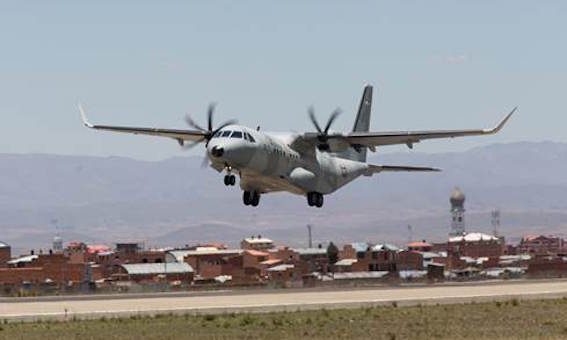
x=374, y=139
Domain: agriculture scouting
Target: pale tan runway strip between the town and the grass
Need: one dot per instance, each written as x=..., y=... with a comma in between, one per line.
x=274, y=300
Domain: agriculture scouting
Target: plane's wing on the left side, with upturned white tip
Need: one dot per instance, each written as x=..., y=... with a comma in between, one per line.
x=179, y=135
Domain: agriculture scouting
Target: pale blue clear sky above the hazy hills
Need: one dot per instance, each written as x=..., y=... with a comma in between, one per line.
x=435, y=64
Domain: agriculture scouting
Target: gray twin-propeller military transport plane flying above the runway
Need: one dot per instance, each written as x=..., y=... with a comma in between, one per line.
x=310, y=164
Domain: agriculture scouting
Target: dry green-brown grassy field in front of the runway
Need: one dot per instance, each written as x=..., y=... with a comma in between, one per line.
x=535, y=319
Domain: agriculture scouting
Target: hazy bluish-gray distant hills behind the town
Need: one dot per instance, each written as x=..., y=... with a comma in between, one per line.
x=176, y=202
